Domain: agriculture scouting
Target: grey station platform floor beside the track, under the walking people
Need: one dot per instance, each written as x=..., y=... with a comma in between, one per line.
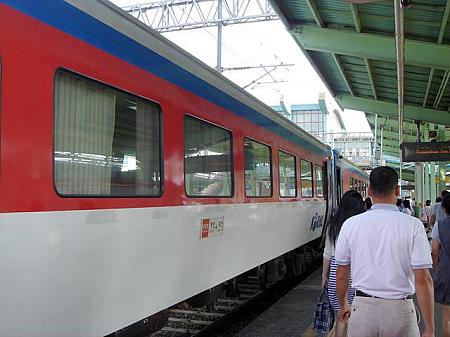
x=292, y=315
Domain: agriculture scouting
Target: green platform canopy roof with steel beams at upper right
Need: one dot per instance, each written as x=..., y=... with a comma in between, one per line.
x=352, y=47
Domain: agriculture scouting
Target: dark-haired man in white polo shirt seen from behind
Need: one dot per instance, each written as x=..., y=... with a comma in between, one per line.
x=389, y=255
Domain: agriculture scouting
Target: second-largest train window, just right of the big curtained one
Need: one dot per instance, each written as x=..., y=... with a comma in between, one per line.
x=207, y=159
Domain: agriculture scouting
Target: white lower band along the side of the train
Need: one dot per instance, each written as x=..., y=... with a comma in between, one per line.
x=89, y=273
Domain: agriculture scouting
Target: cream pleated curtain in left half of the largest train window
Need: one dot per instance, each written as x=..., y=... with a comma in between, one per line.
x=84, y=130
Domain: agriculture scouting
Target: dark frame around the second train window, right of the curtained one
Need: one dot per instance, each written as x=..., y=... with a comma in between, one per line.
x=232, y=181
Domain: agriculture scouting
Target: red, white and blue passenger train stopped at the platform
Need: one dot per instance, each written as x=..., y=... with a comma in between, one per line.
x=134, y=177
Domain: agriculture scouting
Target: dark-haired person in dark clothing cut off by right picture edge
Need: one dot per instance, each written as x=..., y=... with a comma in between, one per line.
x=441, y=262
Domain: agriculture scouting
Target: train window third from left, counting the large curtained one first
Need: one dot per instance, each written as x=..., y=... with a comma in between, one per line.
x=258, y=169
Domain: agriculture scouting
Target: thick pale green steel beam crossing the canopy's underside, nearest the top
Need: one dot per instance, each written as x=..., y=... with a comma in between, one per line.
x=363, y=45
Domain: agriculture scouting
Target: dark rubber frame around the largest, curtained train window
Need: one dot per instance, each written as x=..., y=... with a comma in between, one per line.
x=105, y=84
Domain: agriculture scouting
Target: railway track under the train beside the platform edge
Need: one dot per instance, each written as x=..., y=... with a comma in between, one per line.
x=214, y=319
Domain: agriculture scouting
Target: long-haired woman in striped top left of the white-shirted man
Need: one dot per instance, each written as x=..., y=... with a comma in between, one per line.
x=351, y=204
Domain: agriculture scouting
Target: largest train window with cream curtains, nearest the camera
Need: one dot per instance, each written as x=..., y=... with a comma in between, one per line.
x=106, y=141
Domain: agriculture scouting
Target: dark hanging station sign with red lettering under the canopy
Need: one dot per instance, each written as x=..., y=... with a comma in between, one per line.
x=426, y=151
